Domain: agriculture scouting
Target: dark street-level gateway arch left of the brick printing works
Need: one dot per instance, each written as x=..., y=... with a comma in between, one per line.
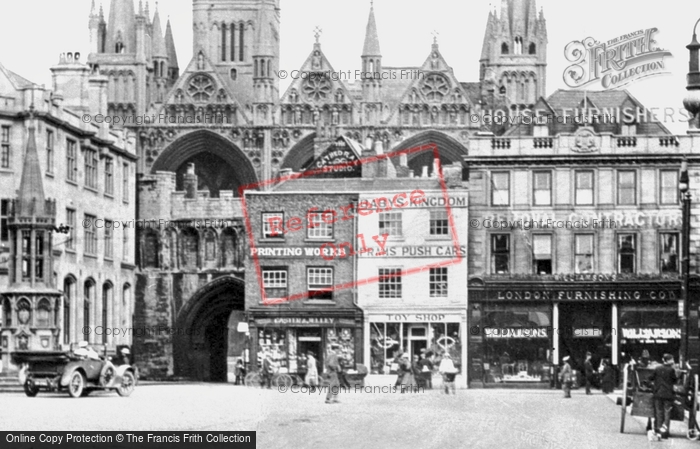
x=206, y=330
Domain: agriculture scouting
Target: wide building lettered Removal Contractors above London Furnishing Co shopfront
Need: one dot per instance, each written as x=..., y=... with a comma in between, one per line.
x=577, y=245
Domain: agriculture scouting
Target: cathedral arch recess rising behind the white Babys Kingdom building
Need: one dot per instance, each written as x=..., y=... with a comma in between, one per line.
x=449, y=149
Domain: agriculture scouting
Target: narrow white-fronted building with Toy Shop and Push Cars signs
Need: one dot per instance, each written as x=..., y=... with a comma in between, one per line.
x=411, y=283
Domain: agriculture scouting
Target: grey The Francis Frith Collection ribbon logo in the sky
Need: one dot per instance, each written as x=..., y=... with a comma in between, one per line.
x=615, y=63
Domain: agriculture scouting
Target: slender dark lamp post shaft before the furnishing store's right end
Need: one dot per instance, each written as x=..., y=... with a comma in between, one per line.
x=684, y=307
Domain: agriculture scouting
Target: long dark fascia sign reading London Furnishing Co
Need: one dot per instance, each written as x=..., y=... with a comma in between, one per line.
x=584, y=295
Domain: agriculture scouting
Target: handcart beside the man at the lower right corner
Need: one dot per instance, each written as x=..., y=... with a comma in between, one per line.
x=637, y=394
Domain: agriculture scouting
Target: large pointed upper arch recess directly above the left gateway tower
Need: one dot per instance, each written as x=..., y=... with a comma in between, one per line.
x=219, y=163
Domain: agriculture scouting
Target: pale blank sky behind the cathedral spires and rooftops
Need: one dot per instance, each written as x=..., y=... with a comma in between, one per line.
x=34, y=32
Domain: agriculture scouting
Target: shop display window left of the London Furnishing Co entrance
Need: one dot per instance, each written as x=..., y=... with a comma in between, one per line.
x=516, y=343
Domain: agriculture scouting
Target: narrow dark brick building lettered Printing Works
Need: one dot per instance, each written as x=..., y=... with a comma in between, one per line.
x=299, y=295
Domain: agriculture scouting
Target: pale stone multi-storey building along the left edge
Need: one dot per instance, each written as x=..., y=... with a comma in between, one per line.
x=66, y=264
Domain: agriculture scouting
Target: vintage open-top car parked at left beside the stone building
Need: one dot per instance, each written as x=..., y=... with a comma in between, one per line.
x=77, y=371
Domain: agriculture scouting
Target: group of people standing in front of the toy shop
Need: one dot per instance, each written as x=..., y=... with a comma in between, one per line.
x=418, y=371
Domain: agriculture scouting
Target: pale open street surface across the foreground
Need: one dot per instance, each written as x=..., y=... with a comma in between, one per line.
x=472, y=418
